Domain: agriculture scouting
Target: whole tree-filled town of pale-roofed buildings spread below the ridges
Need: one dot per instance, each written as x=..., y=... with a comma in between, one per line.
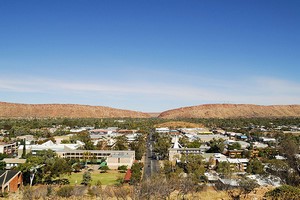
x=125, y=157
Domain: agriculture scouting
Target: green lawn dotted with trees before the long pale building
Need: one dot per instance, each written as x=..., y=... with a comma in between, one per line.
x=109, y=178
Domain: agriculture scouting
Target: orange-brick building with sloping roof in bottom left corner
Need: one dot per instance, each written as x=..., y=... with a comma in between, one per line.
x=10, y=180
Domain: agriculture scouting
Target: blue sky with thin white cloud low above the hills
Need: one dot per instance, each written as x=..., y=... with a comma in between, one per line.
x=150, y=55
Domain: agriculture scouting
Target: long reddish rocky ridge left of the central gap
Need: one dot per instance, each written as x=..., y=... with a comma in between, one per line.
x=15, y=110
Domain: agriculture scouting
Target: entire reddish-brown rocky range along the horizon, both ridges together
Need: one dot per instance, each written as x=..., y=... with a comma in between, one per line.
x=15, y=110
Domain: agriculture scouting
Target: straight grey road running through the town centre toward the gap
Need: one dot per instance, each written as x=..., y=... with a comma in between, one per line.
x=151, y=165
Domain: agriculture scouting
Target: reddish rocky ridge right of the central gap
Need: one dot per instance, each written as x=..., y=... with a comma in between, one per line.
x=232, y=111
